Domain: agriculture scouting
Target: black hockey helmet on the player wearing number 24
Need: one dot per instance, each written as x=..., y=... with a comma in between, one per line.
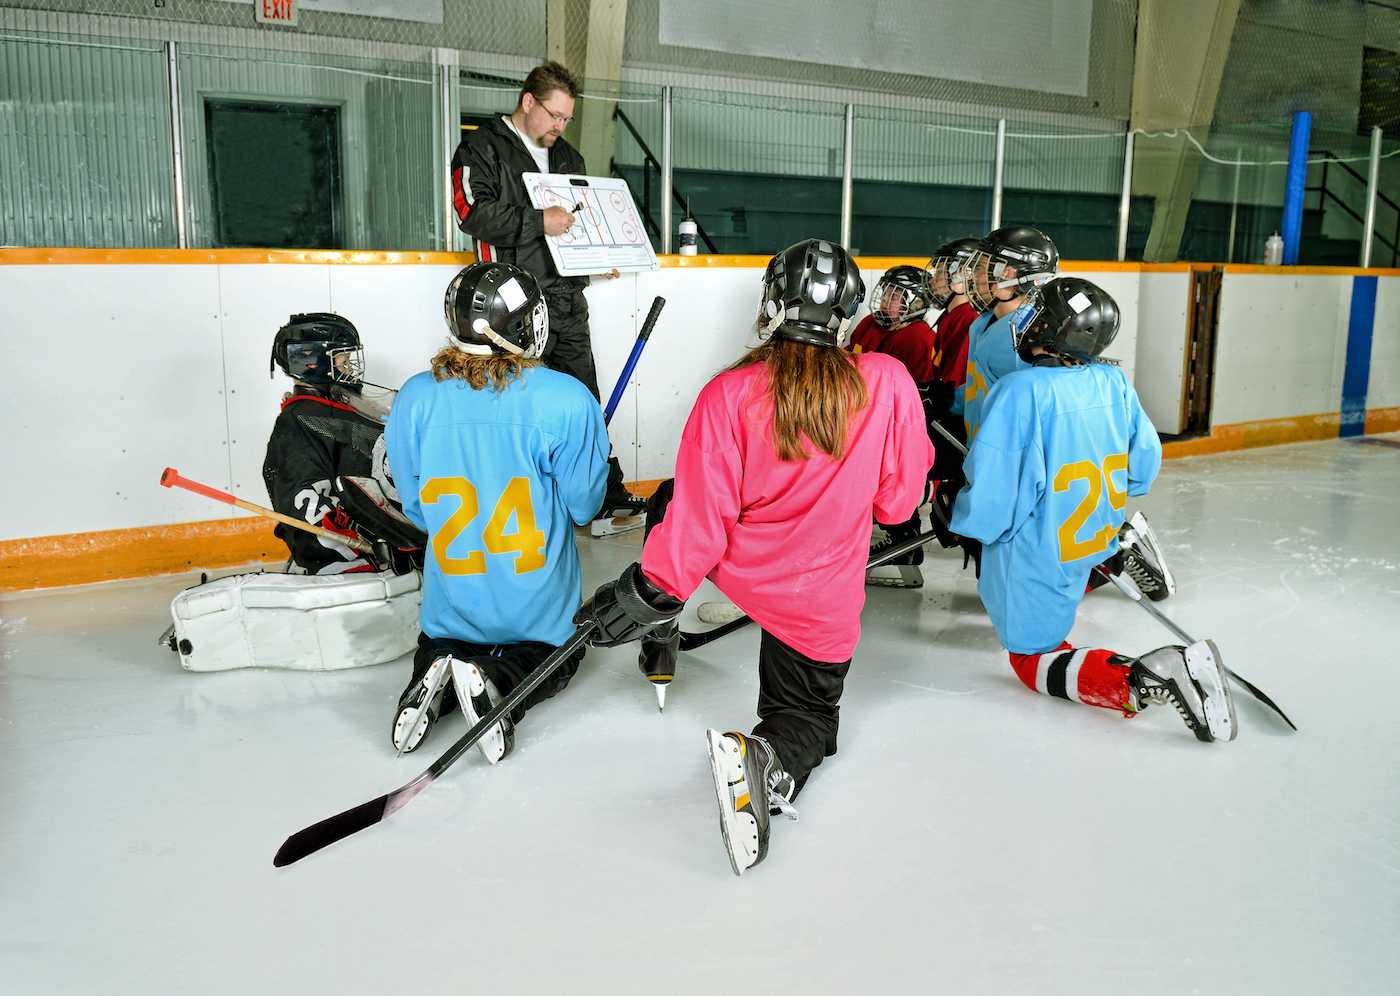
x=496, y=309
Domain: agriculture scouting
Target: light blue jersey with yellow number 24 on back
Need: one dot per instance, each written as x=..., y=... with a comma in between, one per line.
x=498, y=481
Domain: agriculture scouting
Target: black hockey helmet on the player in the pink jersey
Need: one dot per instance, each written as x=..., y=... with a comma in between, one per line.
x=811, y=292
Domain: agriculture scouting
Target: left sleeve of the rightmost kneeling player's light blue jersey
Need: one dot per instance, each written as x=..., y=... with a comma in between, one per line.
x=1004, y=467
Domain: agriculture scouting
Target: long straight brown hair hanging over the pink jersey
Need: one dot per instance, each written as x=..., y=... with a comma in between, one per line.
x=815, y=392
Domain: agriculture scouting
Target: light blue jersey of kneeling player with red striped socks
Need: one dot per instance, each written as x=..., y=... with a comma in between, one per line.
x=1059, y=453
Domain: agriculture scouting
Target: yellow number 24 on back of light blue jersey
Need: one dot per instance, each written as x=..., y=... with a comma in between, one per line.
x=527, y=543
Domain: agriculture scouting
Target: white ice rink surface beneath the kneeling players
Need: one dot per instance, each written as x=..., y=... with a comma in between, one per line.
x=969, y=838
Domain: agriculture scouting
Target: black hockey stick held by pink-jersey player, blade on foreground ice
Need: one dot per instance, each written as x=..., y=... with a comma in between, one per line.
x=367, y=815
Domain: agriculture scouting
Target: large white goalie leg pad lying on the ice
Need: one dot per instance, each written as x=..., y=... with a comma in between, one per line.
x=302, y=623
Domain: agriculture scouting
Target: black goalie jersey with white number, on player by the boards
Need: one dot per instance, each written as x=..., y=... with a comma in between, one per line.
x=314, y=442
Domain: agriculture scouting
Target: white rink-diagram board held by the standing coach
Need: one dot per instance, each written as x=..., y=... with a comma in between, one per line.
x=608, y=232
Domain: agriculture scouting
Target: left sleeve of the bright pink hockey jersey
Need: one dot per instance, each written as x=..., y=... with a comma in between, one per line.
x=705, y=508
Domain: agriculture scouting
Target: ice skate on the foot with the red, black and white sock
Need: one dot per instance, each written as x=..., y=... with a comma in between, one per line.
x=1193, y=680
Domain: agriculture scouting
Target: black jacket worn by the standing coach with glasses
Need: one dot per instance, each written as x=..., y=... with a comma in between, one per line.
x=493, y=208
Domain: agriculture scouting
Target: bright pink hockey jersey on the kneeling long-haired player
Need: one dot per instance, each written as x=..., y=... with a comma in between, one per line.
x=789, y=541
